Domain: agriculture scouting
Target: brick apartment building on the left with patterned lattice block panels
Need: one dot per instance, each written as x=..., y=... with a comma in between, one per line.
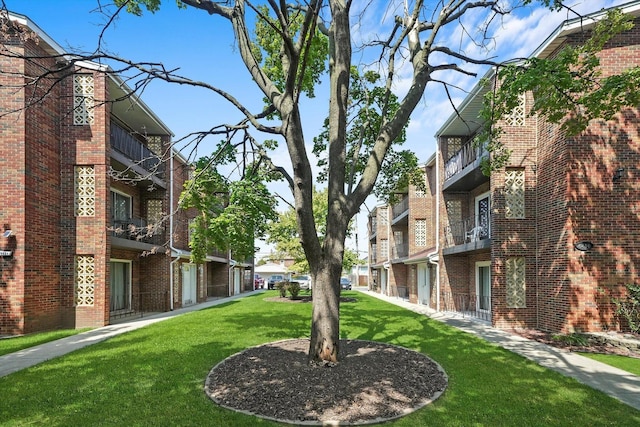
x=88, y=179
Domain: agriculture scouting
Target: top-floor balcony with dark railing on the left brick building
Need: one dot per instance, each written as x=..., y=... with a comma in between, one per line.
x=134, y=155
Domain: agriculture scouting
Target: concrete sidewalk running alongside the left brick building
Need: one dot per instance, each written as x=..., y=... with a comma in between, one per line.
x=28, y=357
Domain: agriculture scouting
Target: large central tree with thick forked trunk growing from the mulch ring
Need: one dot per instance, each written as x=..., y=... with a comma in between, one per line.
x=284, y=58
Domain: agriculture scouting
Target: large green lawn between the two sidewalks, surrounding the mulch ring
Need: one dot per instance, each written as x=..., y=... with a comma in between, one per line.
x=155, y=375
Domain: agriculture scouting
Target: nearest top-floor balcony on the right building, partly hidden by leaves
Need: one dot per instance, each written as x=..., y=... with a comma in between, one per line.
x=462, y=171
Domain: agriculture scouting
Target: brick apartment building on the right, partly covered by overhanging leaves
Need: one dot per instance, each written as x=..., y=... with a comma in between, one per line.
x=543, y=243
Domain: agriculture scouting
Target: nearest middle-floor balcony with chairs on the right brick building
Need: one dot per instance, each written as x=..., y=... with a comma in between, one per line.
x=470, y=233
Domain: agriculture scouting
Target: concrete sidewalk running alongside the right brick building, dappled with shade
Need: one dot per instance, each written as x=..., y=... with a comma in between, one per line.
x=615, y=382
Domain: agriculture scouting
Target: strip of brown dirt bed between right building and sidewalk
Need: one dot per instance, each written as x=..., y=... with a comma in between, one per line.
x=565, y=342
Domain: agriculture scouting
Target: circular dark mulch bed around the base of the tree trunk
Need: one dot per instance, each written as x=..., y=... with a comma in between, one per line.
x=374, y=382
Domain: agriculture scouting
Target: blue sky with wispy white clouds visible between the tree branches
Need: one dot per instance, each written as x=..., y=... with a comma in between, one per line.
x=202, y=47
